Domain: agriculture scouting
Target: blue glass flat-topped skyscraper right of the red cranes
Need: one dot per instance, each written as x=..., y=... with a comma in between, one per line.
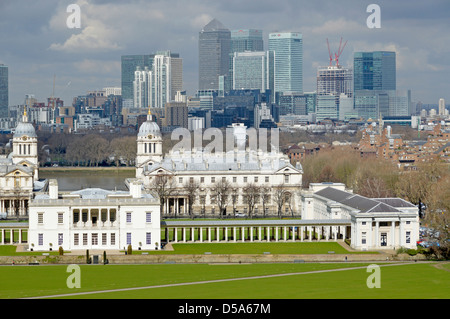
x=374, y=70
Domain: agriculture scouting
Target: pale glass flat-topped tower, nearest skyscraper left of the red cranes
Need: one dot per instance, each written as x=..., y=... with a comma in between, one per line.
x=288, y=65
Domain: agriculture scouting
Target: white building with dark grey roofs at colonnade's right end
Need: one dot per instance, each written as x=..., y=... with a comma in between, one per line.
x=376, y=223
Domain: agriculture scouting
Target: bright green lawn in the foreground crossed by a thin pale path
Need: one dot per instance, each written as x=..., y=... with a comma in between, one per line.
x=406, y=281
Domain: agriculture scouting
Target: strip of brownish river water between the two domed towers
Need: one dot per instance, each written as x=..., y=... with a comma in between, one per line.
x=72, y=180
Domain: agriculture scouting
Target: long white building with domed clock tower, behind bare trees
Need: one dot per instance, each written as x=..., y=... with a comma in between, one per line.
x=270, y=171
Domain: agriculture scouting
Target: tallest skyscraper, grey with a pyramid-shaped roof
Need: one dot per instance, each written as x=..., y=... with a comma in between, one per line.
x=214, y=47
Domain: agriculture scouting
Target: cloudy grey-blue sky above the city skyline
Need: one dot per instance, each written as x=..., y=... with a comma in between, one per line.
x=39, y=48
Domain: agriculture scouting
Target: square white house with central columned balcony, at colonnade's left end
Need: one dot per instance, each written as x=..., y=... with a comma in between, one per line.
x=94, y=219
